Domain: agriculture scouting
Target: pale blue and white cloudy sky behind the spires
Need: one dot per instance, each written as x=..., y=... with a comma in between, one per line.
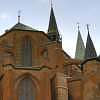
x=36, y=13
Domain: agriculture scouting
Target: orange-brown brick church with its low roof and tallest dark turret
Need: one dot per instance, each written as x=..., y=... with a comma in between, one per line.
x=34, y=66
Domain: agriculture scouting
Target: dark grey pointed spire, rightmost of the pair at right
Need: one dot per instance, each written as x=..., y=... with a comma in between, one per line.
x=90, y=51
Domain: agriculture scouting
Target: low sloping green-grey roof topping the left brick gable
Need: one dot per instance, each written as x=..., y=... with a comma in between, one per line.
x=20, y=26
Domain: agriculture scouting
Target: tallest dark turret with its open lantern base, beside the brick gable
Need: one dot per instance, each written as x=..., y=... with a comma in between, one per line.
x=53, y=33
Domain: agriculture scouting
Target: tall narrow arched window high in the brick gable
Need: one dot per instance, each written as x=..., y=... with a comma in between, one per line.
x=27, y=52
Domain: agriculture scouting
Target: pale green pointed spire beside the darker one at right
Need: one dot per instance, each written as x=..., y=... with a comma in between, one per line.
x=80, y=48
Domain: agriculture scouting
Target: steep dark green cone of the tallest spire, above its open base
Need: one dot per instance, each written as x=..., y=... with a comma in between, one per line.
x=52, y=23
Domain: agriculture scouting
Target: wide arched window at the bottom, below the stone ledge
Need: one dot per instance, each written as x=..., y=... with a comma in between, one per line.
x=26, y=90
